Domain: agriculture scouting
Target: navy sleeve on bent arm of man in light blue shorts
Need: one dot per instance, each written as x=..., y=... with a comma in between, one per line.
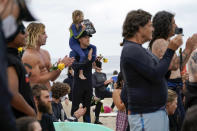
x=147, y=68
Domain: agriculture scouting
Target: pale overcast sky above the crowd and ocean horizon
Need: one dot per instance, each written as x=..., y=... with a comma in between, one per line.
x=107, y=17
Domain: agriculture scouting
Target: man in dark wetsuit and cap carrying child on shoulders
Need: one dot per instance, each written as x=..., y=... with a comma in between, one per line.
x=82, y=89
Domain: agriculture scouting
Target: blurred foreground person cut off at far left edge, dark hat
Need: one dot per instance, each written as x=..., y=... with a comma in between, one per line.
x=10, y=12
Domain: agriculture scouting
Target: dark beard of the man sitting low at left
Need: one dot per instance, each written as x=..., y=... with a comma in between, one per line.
x=44, y=108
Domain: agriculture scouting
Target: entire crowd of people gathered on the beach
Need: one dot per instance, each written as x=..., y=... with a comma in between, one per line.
x=151, y=91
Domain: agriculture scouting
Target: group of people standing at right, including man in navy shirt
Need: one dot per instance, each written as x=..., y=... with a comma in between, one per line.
x=149, y=73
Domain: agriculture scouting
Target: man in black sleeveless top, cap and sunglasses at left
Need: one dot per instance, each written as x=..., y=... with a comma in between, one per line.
x=22, y=102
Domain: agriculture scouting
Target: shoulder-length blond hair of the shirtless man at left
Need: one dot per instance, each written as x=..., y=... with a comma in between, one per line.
x=34, y=30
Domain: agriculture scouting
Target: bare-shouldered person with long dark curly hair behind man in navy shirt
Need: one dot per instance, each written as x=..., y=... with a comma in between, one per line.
x=164, y=28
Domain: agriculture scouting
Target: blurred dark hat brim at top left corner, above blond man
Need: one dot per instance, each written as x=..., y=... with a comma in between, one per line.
x=25, y=14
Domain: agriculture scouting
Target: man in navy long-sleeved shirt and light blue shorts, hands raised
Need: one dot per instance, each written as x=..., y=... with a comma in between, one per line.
x=144, y=74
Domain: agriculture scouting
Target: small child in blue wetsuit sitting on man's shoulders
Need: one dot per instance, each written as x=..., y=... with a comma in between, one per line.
x=76, y=29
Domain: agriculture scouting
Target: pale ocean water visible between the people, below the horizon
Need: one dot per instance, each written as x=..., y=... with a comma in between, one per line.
x=108, y=68
